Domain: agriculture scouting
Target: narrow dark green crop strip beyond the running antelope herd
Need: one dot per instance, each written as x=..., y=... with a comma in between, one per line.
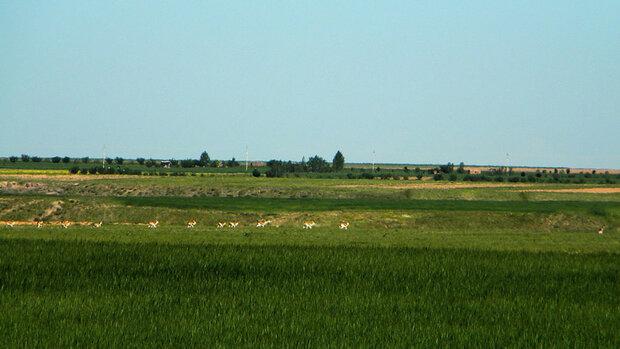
x=292, y=205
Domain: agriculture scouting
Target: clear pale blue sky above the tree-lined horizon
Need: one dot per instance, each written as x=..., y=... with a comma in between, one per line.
x=417, y=81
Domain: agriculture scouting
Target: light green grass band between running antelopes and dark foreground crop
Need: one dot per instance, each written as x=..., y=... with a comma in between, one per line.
x=490, y=238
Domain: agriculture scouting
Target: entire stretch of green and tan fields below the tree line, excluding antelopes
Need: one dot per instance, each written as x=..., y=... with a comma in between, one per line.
x=429, y=265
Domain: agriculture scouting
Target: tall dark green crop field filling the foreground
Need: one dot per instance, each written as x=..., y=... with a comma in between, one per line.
x=61, y=294
